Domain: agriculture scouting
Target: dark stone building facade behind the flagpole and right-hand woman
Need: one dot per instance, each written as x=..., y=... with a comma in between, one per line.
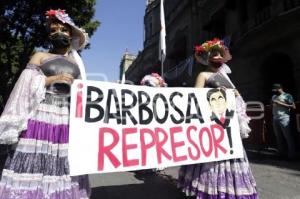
x=264, y=35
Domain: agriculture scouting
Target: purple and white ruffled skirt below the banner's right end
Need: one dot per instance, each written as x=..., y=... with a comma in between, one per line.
x=229, y=179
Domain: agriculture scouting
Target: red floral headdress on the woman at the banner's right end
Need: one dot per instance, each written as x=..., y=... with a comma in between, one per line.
x=203, y=51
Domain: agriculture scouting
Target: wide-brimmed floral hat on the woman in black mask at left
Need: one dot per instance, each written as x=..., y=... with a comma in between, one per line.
x=79, y=36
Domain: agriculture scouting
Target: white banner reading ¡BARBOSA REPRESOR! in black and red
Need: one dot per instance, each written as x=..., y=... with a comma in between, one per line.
x=118, y=127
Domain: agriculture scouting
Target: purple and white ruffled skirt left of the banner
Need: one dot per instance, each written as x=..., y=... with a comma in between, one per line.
x=38, y=168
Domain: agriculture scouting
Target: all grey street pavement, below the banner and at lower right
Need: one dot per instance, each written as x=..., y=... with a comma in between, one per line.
x=276, y=179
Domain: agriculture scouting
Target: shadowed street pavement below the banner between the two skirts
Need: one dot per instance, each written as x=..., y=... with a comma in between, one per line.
x=131, y=185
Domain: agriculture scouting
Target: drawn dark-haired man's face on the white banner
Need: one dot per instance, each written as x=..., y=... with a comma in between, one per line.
x=217, y=100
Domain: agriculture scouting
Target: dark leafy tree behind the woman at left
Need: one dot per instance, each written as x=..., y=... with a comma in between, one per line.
x=23, y=29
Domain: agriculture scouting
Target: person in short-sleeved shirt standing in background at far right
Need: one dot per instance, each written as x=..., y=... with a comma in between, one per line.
x=282, y=103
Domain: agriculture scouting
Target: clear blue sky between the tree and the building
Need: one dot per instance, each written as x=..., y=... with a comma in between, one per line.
x=121, y=27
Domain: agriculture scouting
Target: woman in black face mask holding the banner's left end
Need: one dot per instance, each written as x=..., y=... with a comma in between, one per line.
x=36, y=119
